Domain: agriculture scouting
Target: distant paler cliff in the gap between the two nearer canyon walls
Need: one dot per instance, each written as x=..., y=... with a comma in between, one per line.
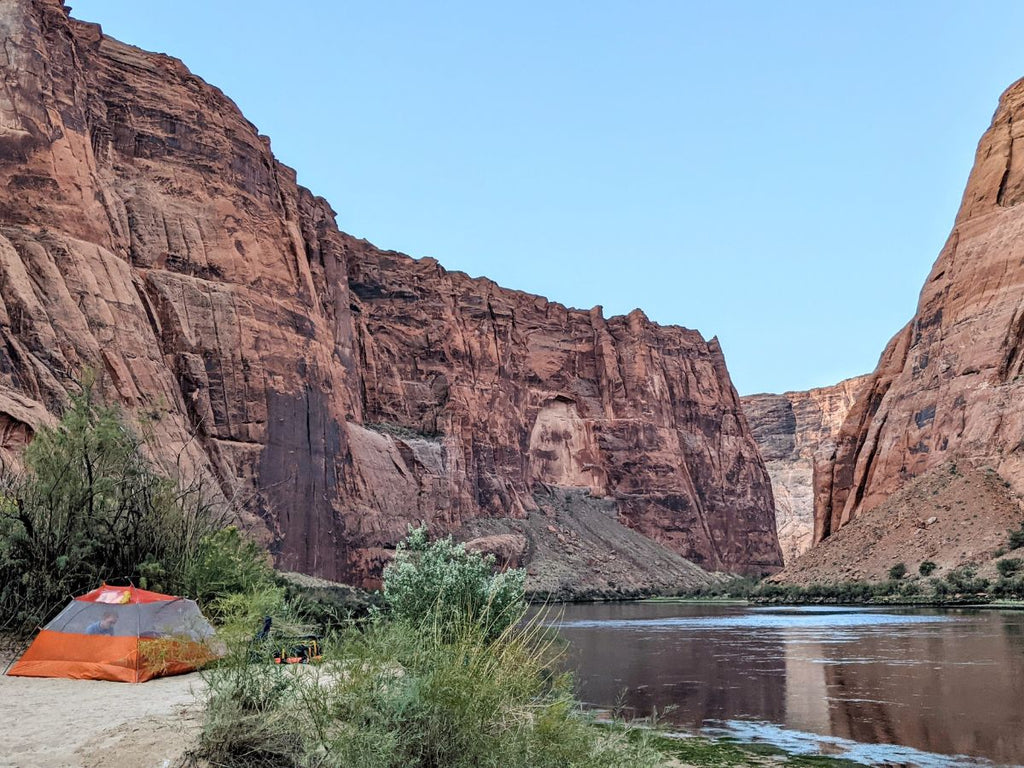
x=791, y=430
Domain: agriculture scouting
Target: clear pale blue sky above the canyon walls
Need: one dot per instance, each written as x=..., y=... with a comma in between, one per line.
x=780, y=175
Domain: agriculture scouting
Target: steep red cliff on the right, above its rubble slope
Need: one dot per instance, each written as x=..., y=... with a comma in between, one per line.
x=950, y=388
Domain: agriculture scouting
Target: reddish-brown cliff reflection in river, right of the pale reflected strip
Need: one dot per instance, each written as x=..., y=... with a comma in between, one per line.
x=951, y=690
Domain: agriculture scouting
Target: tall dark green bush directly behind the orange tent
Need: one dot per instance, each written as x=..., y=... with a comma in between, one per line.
x=88, y=508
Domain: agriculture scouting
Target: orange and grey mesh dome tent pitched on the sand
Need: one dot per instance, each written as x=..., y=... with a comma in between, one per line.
x=120, y=633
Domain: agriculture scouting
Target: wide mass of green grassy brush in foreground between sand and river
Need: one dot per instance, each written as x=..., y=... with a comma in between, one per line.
x=398, y=697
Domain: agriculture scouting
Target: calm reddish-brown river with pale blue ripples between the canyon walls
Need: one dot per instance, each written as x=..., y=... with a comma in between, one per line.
x=920, y=687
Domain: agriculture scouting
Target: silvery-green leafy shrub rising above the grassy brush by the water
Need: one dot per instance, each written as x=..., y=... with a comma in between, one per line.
x=443, y=583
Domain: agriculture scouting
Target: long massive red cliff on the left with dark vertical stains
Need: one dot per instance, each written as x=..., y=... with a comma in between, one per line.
x=335, y=392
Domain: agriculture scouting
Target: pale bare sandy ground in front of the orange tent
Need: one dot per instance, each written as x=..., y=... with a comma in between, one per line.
x=51, y=723
